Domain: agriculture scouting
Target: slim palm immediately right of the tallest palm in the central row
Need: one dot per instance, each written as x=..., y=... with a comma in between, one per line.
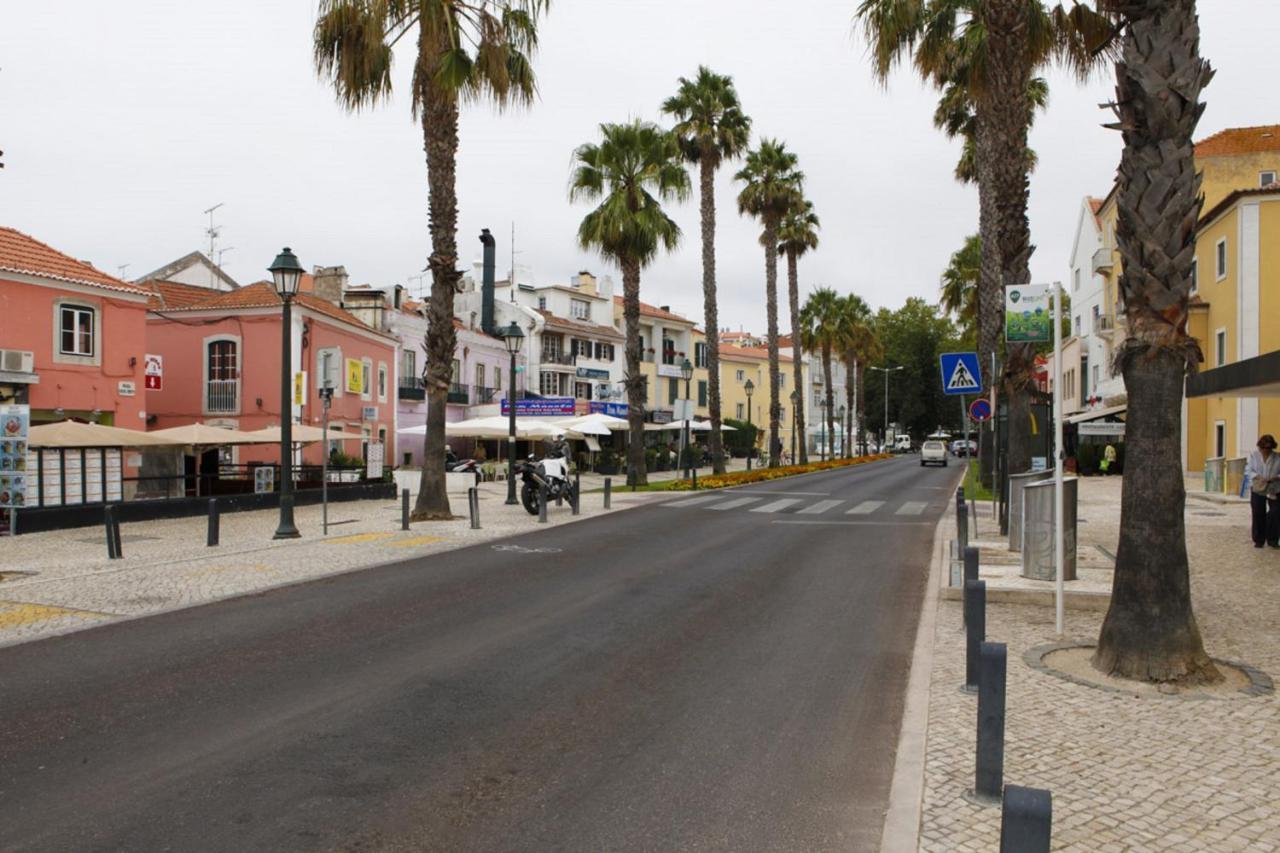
x=771, y=186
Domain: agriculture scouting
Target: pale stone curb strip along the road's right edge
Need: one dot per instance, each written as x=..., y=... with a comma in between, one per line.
x=902, y=832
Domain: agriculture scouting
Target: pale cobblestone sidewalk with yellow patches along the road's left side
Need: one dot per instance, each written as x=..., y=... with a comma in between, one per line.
x=57, y=582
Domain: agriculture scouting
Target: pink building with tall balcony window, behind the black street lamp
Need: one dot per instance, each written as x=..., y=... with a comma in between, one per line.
x=222, y=366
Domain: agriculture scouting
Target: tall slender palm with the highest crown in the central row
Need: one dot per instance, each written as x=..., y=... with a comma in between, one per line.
x=711, y=129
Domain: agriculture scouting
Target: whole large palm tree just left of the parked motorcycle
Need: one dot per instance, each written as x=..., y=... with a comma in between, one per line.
x=467, y=51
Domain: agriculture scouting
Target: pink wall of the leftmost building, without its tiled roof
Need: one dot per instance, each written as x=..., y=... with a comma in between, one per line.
x=29, y=322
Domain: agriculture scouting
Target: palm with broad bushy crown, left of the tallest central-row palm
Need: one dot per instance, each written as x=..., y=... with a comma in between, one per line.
x=632, y=171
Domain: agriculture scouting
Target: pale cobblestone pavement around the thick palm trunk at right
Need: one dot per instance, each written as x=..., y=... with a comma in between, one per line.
x=1126, y=773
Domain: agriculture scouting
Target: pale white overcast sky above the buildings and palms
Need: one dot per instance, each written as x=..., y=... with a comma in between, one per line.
x=122, y=122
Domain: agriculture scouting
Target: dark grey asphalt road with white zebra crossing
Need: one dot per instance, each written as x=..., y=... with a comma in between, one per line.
x=714, y=677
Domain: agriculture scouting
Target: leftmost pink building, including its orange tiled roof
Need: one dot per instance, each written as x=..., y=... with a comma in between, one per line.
x=72, y=339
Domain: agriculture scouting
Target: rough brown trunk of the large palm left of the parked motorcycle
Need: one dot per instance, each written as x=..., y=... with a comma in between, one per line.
x=440, y=118
